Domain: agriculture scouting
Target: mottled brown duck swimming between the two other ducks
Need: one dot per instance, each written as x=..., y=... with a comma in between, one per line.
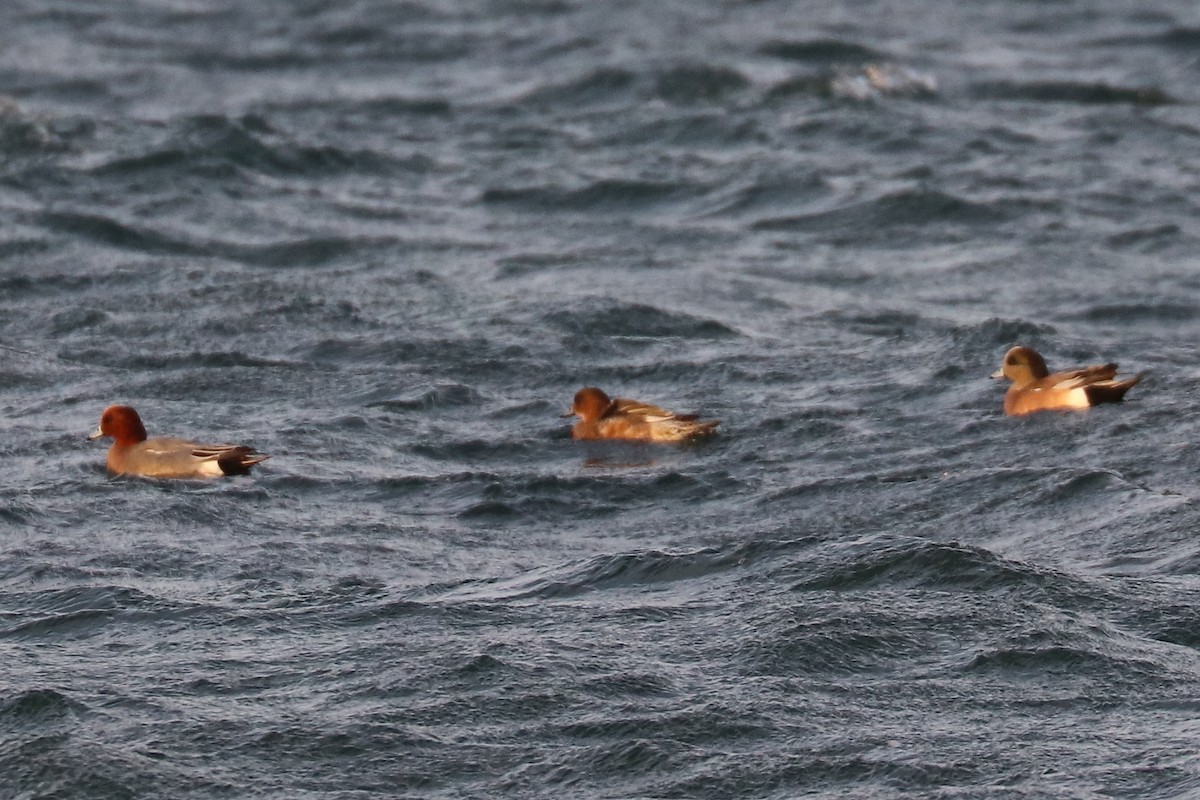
x=608, y=418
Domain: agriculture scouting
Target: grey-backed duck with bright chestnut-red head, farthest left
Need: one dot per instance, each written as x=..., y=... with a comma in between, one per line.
x=134, y=454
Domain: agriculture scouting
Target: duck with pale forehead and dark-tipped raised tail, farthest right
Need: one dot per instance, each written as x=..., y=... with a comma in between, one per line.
x=1036, y=390
